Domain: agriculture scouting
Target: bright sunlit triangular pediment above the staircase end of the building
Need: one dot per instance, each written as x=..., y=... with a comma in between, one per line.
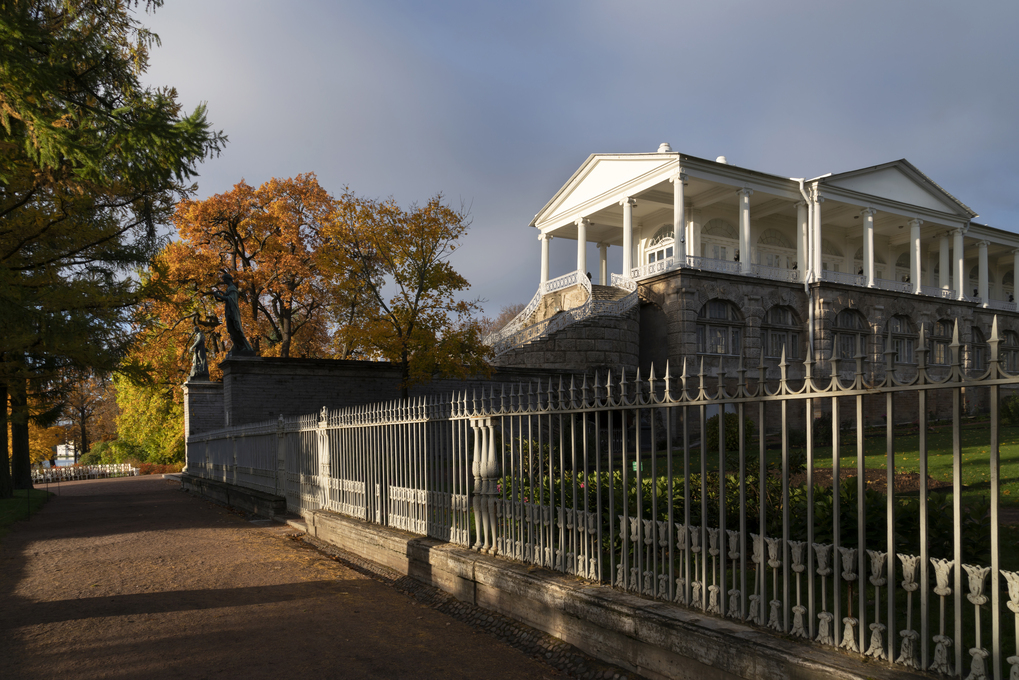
x=602, y=180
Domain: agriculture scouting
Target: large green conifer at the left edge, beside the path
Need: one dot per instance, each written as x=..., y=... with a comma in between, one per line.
x=90, y=165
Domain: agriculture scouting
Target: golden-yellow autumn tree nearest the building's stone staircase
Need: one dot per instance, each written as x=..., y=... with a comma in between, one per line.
x=401, y=259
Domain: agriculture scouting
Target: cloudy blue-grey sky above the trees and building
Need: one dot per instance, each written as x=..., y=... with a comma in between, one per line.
x=497, y=104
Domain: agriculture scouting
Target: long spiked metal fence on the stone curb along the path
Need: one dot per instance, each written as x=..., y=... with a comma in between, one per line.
x=613, y=482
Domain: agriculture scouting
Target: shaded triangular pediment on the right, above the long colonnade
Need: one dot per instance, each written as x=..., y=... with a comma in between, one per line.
x=902, y=183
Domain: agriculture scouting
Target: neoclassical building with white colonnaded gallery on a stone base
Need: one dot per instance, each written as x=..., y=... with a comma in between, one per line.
x=721, y=261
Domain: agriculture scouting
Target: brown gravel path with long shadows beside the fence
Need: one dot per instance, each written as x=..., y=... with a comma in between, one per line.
x=134, y=579
